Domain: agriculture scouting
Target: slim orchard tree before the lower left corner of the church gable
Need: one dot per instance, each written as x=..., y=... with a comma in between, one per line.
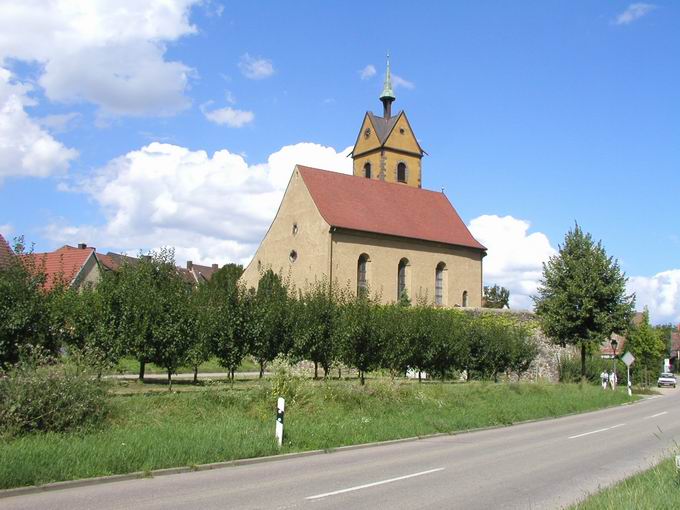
x=270, y=320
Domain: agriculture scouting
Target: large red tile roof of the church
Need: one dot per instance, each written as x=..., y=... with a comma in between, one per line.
x=368, y=205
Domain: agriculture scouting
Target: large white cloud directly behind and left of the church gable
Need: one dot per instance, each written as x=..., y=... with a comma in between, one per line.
x=211, y=209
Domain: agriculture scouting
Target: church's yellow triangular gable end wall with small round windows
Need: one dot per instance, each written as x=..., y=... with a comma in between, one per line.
x=311, y=242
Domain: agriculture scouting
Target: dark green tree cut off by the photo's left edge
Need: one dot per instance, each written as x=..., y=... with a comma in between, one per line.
x=22, y=306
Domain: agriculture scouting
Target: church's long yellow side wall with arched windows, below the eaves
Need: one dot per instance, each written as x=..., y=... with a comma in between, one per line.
x=463, y=270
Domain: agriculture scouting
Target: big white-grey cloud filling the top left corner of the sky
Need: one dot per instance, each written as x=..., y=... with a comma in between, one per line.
x=107, y=52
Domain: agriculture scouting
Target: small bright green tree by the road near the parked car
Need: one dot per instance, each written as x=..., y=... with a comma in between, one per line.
x=648, y=346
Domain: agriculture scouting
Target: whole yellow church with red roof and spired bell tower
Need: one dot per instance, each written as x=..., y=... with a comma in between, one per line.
x=376, y=230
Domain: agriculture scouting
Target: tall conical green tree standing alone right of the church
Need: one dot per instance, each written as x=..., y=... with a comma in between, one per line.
x=582, y=296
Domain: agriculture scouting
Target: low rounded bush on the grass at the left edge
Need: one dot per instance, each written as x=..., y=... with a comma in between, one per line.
x=50, y=398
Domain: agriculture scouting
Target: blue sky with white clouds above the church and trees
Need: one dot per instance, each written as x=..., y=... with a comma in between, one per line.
x=135, y=124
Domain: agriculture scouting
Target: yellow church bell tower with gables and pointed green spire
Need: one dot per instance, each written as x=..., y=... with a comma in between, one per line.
x=387, y=148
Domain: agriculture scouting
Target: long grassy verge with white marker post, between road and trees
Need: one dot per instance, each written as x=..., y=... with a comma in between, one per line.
x=151, y=431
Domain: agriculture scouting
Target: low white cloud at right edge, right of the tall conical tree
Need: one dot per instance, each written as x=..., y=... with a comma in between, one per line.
x=659, y=293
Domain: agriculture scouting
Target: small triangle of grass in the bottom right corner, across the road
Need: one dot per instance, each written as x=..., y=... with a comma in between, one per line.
x=657, y=488
